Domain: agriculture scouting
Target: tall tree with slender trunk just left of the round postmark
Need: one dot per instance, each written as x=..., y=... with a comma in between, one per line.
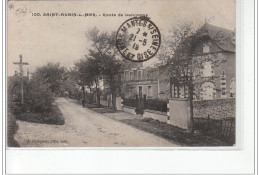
x=105, y=53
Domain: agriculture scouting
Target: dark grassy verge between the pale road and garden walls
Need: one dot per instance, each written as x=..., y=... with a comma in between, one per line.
x=172, y=133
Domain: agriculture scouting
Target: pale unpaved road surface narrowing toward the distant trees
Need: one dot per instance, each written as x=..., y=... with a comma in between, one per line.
x=84, y=128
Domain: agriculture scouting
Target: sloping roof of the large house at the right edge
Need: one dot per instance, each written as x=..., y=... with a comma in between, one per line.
x=224, y=38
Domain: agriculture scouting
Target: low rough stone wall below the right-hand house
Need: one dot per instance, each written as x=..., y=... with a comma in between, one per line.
x=215, y=109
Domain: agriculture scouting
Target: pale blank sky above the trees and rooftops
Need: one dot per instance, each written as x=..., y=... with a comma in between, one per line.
x=43, y=39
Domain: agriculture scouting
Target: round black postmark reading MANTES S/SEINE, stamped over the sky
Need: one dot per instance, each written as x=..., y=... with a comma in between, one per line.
x=138, y=39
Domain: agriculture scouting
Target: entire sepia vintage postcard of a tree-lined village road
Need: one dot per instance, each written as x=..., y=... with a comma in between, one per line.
x=130, y=73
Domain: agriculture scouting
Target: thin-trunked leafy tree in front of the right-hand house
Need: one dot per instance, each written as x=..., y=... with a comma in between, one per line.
x=182, y=67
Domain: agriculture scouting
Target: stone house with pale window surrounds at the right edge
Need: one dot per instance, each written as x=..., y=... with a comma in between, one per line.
x=215, y=53
